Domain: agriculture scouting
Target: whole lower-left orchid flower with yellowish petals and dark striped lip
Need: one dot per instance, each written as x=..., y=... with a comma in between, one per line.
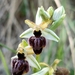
x=23, y=59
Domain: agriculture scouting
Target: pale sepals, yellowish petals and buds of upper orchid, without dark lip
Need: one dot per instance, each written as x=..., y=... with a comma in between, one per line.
x=43, y=19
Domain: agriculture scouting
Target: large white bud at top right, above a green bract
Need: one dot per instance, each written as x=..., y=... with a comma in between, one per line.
x=58, y=13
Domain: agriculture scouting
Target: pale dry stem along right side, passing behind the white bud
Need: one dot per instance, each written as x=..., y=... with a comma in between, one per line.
x=69, y=35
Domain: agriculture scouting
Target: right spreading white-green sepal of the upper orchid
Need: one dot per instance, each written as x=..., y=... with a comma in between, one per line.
x=49, y=34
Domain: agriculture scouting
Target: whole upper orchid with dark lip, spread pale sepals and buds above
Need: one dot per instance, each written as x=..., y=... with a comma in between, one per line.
x=38, y=31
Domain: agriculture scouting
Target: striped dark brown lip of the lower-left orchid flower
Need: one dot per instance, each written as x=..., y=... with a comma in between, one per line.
x=19, y=66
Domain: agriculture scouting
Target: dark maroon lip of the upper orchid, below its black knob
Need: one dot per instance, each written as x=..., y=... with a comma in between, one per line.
x=37, y=43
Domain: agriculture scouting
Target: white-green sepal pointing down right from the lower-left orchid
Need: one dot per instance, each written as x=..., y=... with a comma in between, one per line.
x=32, y=61
